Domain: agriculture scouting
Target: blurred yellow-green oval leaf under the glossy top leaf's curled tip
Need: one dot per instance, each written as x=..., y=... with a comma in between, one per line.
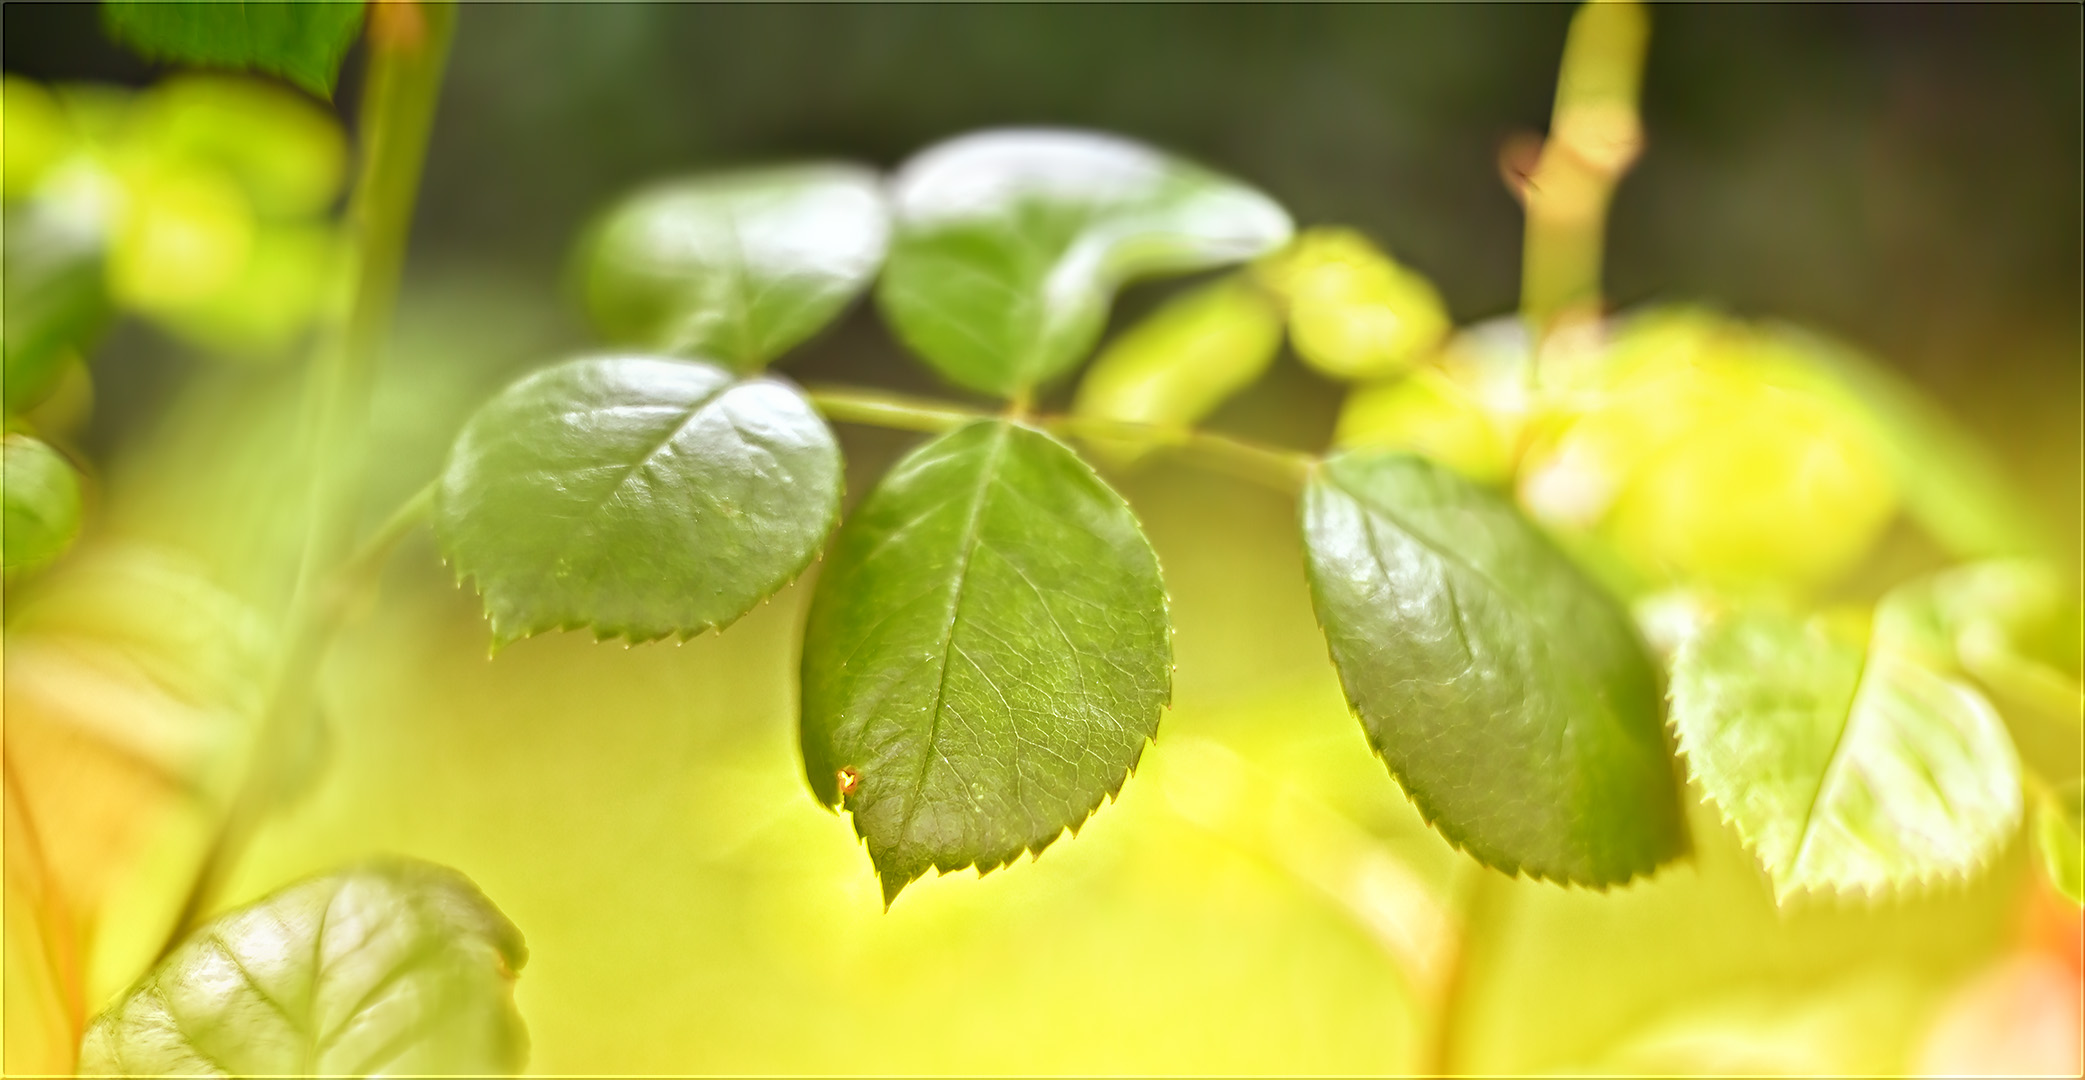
x=1185, y=360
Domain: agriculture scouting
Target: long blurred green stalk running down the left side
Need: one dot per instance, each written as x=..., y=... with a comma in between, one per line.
x=408, y=51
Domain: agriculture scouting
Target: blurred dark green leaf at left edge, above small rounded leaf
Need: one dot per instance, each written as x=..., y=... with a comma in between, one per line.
x=53, y=301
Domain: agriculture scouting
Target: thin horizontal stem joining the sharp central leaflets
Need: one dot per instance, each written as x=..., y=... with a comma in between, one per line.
x=1273, y=466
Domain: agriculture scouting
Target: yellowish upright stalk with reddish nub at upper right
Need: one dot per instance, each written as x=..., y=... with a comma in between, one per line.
x=1594, y=139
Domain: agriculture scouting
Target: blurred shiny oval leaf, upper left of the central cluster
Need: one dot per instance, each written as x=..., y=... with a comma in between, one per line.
x=739, y=266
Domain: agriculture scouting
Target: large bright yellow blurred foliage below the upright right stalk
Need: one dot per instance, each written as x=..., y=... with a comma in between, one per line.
x=1702, y=453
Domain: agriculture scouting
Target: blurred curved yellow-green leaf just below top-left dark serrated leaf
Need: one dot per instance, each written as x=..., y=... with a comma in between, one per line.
x=285, y=153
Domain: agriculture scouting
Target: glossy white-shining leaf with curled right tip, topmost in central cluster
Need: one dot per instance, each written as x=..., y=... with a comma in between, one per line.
x=1012, y=245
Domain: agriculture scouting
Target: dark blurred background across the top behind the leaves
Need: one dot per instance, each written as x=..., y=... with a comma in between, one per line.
x=1905, y=176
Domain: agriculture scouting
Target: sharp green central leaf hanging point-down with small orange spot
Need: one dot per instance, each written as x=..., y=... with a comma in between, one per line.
x=985, y=656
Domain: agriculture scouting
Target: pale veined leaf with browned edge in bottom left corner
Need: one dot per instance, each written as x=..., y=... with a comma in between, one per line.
x=385, y=968
